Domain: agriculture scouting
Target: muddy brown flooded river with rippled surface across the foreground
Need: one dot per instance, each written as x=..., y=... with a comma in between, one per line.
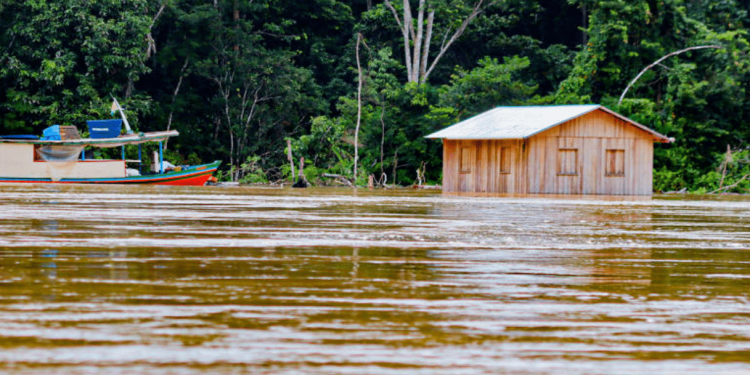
x=165, y=280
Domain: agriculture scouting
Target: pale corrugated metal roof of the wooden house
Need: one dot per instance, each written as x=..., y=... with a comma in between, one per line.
x=524, y=122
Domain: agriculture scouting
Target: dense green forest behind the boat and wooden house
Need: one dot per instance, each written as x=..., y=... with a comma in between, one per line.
x=239, y=79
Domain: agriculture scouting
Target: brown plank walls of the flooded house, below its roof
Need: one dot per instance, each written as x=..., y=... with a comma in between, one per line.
x=596, y=153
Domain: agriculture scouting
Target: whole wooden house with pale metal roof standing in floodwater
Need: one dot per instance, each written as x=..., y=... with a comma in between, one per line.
x=570, y=149
